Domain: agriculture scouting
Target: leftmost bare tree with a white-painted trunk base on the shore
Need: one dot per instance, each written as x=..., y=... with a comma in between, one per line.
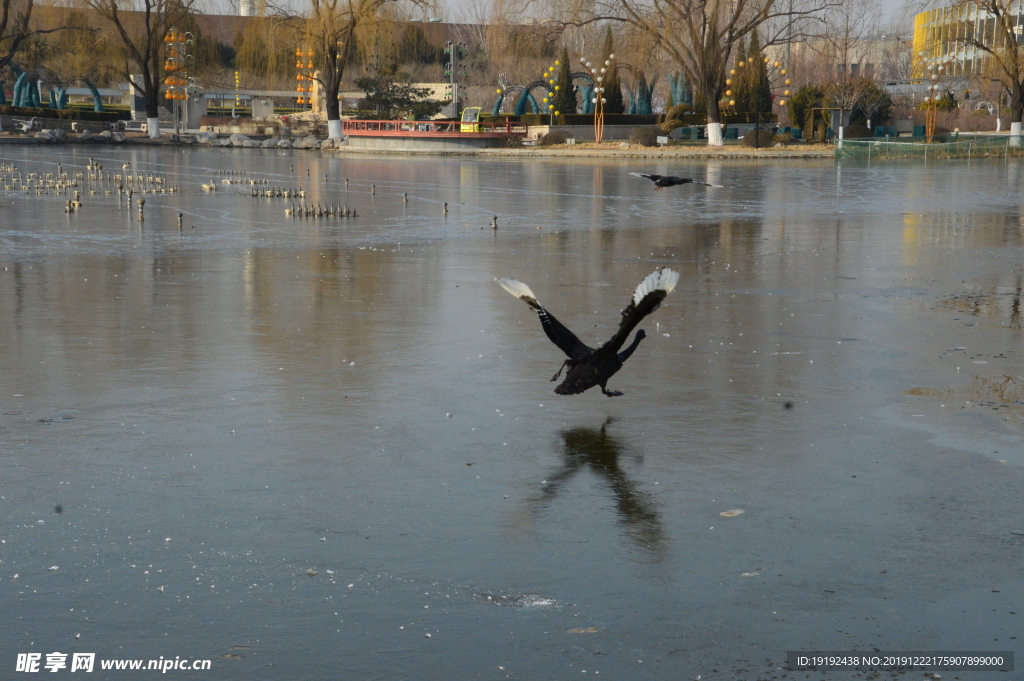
x=142, y=26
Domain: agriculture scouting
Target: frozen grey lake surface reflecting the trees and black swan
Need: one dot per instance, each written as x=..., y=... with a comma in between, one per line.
x=328, y=448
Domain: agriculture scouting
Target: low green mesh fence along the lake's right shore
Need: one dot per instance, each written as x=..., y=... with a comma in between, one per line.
x=980, y=147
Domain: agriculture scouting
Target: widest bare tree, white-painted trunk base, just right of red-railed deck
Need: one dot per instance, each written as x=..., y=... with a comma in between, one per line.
x=699, y=36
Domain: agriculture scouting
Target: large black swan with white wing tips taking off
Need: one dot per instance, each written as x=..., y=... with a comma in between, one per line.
x=589, y=367
